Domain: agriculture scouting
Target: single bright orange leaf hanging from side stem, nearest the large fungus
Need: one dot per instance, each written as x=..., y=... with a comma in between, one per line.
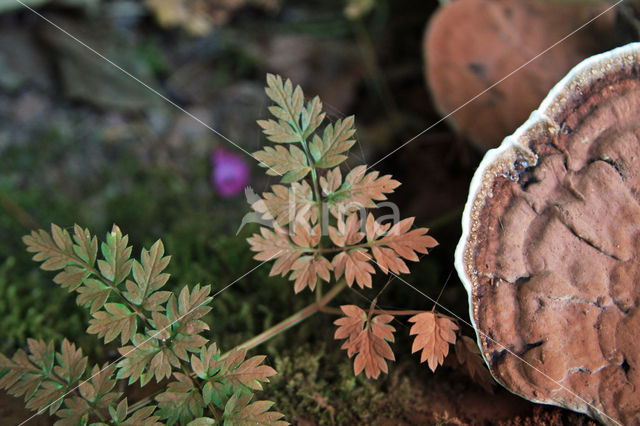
x=434, y=333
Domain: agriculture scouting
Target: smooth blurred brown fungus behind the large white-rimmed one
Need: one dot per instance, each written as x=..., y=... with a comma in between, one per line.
x=472, y=44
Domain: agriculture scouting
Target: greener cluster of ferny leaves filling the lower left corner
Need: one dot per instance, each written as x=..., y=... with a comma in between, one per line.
x=160, y=335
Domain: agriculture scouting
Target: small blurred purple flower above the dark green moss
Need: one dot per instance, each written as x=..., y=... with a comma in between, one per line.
x=230, y=172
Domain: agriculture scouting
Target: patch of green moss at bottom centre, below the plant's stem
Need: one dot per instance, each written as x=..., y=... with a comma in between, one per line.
x=315, y=383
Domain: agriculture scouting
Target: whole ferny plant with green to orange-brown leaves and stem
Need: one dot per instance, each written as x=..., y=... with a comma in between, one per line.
x=321, y=231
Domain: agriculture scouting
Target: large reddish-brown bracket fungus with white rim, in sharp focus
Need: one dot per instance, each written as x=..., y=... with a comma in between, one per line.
x=549, y=250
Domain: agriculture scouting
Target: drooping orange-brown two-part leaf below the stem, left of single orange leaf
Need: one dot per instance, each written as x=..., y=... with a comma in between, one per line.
x=367, y=339
